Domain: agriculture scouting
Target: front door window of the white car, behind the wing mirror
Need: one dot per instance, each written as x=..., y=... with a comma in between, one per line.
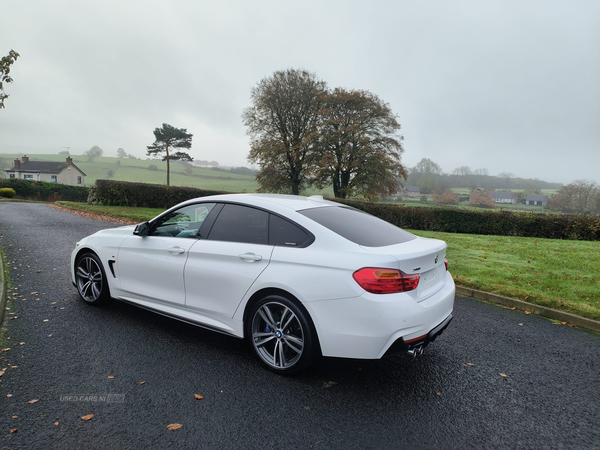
x=183, y=222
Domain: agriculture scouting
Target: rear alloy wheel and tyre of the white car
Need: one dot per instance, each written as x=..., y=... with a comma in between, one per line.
x=282, y=335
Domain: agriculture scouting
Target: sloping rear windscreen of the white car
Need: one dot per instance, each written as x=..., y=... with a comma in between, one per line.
x=358, y=227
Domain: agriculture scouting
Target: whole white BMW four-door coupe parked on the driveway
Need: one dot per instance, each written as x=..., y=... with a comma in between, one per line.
x=297, y=277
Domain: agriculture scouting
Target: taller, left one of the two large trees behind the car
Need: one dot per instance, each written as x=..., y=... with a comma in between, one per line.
x=283, y=124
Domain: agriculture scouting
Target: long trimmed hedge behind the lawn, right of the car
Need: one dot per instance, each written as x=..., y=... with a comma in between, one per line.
x=500, y=223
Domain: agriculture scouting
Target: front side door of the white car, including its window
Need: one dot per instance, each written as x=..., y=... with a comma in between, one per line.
x=150, y=268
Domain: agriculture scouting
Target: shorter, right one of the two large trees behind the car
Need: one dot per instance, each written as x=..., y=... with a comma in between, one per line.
x=359, y=150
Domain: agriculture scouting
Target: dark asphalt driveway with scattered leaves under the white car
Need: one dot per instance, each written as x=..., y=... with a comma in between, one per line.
x=495, y=379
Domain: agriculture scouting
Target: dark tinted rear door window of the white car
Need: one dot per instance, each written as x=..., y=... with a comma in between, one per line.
x=238, y=223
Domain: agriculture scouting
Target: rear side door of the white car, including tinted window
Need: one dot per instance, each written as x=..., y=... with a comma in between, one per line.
x=221, y=268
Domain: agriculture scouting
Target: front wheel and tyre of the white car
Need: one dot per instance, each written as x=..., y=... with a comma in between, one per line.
x=90, y=280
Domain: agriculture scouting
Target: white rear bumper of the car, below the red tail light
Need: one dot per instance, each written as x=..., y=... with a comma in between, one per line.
x=372, y=326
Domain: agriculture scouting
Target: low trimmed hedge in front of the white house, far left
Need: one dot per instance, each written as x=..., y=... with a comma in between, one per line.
x=42, y=190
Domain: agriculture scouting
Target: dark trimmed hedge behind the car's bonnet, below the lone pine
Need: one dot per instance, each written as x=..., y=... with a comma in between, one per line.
x=123, y=193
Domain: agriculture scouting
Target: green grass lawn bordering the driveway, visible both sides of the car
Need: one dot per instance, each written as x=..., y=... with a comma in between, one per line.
x=559, y=274
